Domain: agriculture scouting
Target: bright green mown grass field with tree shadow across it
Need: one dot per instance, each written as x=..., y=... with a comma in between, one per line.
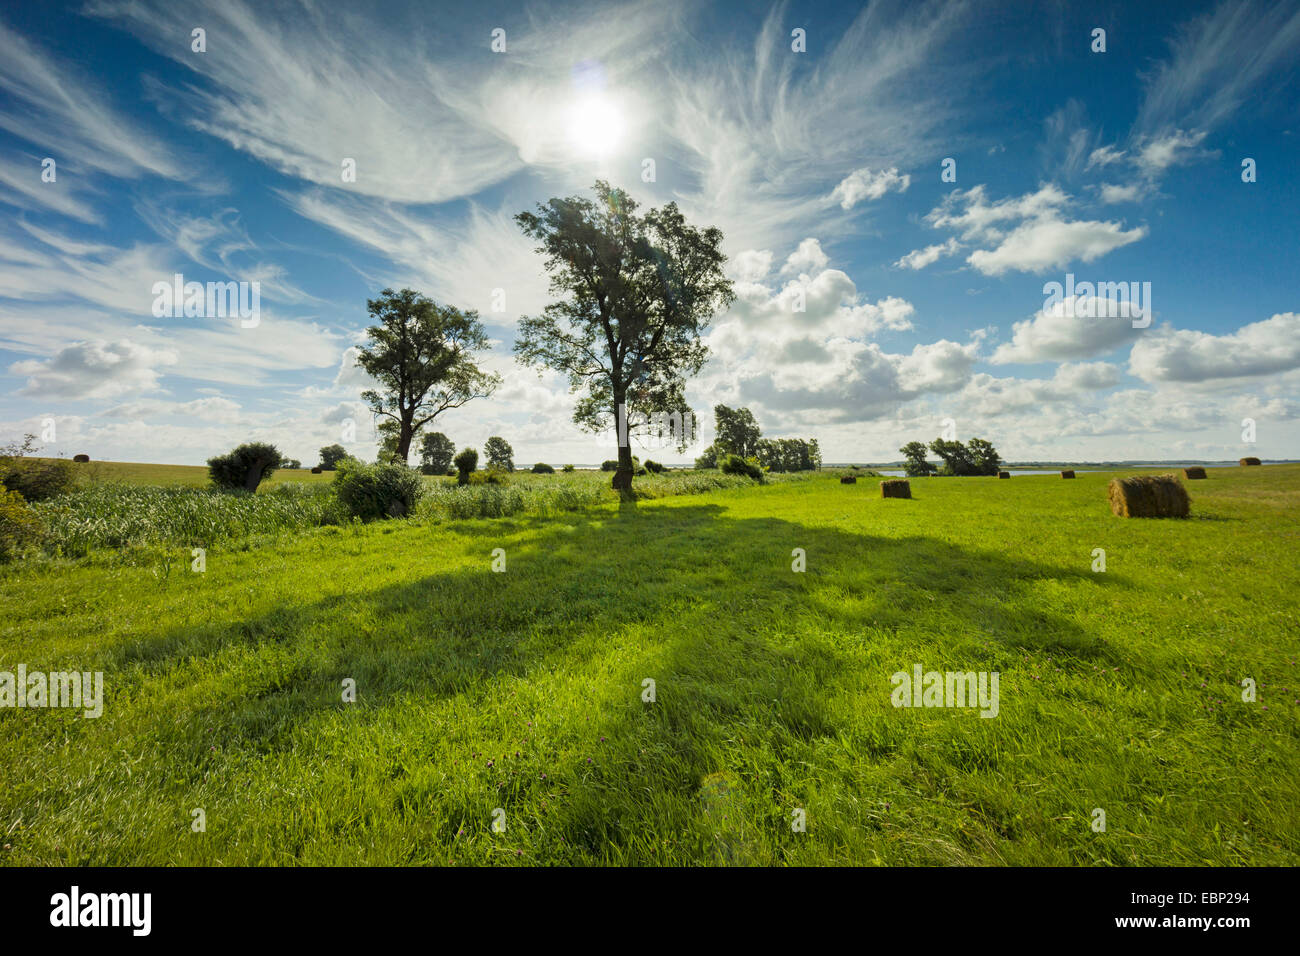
x=522, y=691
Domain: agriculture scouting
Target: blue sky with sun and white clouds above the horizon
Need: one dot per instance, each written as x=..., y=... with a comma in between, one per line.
x=922, y=300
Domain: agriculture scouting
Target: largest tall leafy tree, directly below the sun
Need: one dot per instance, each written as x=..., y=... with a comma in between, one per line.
x=635, y=295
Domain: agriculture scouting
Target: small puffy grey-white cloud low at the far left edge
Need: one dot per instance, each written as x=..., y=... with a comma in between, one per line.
x=94, y=370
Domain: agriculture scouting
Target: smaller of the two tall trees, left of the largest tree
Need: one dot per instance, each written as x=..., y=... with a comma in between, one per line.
x=423, y=356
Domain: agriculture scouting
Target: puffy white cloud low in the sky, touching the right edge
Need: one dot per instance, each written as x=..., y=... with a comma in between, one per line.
x=1186, y=356
